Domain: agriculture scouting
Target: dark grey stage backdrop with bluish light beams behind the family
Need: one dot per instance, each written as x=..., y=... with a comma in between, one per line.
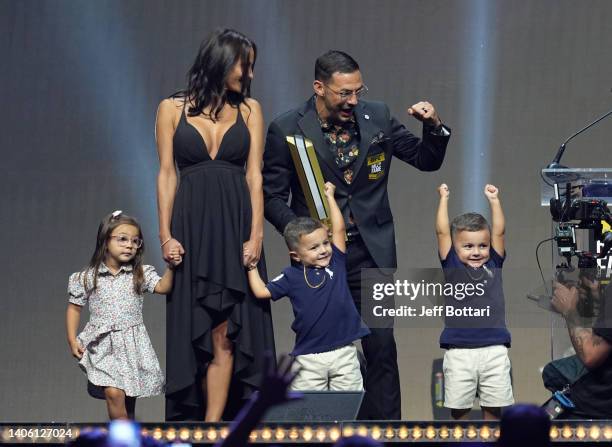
x=80, y=83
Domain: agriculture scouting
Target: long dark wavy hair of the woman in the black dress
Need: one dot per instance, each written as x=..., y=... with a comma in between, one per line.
x=207, y=76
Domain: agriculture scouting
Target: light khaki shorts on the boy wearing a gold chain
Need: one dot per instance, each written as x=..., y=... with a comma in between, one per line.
x=336, y=370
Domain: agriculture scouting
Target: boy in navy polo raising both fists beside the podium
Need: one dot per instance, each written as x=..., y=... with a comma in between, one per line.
x=475, y=335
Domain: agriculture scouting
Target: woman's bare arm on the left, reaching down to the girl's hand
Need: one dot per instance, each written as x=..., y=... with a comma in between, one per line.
x=167, y=179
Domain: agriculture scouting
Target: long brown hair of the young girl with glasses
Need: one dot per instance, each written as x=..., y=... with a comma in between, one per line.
x=108, y=224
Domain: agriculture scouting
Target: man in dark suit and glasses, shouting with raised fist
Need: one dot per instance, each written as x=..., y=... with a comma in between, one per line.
x=354, y=141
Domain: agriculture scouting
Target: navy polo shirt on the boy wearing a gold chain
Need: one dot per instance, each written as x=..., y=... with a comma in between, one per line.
x=324, y=311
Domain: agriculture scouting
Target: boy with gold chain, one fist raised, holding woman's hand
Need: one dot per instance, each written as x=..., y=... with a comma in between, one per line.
x=326, y=321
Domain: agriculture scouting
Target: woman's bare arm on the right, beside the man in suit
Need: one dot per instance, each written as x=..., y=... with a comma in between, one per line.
x=252, y=248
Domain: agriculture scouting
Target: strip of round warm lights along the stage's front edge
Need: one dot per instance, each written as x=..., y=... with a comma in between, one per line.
x=587, y=431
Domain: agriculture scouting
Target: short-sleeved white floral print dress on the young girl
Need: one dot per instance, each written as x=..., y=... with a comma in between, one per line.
x=118, y=351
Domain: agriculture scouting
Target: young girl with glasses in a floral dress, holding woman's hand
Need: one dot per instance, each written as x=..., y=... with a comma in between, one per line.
x=114, y=349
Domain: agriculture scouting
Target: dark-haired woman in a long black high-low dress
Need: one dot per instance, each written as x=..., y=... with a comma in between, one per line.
x=213, y=133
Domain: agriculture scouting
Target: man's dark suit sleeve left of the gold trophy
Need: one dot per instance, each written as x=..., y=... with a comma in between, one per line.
x=277, y=174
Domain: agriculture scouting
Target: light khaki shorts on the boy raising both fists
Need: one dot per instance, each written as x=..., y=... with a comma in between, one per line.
x=485, y=371
